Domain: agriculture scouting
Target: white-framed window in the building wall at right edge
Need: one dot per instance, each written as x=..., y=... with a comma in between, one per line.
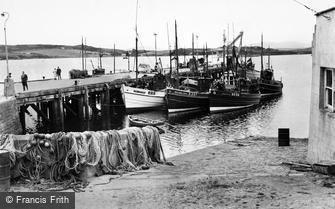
x=329, y=89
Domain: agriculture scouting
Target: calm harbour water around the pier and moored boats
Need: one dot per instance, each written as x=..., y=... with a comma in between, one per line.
x=195, y=131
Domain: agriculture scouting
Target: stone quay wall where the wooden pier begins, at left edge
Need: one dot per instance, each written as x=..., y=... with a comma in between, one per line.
x=9, y=117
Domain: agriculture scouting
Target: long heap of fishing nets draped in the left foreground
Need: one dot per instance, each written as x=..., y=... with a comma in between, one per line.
x=66, y=157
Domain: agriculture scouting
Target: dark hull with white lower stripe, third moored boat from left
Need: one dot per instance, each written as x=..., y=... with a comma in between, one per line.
x=226, y=102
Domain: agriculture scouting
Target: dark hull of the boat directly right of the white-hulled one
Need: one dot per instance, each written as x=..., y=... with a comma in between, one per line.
x=182, y=101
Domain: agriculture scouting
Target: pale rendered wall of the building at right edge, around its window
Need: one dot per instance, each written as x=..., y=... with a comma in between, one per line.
x=321, y=144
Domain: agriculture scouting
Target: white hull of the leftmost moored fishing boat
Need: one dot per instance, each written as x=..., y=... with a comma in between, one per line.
x=142, y=99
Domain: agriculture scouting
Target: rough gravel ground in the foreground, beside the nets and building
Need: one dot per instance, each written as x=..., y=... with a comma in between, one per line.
x=246, y=173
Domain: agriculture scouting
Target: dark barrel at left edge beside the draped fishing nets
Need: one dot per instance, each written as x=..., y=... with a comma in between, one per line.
x=4, y=171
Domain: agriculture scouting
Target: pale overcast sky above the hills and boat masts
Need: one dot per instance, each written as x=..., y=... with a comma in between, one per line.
x=105, y=22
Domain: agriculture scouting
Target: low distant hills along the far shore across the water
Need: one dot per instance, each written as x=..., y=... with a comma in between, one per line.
x=31, y=51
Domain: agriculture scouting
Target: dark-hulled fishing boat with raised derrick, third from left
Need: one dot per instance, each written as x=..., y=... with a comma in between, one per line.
x=233, y=91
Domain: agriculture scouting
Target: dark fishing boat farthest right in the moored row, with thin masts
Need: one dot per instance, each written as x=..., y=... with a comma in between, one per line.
x=269, y=87
